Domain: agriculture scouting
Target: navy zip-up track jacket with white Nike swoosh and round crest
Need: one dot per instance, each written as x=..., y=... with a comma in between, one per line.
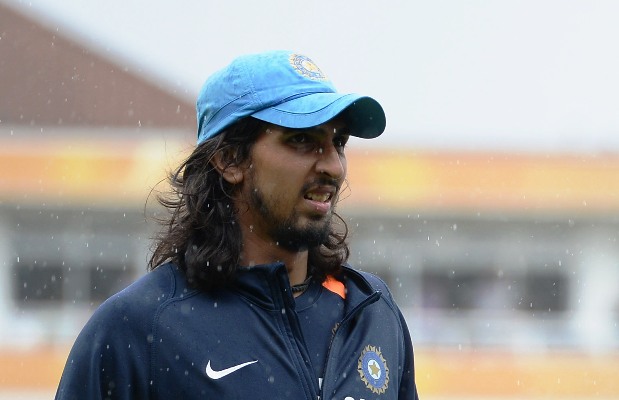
x=159, y=339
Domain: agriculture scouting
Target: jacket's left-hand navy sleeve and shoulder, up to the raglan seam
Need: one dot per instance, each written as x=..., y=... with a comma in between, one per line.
x=113, y=347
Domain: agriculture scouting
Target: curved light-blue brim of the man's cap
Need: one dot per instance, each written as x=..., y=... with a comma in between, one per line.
x=364, y=115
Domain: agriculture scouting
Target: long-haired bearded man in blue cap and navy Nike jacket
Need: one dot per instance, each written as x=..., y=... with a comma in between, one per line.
x=250, y=296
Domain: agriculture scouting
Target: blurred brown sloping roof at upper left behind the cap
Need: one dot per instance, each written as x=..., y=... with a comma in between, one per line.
x=50, y=80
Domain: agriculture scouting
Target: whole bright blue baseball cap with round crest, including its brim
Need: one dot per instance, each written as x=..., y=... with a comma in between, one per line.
x=285, y=89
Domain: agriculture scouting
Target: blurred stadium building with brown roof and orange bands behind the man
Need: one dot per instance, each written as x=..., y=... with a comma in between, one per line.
x=506, y=264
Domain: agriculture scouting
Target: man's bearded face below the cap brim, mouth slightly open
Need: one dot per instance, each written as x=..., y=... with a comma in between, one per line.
x=292, y=183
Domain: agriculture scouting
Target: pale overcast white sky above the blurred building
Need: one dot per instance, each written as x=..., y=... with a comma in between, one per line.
x=506, y=75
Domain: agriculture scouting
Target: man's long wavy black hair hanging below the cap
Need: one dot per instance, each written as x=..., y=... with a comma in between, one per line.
x=200, y=232
